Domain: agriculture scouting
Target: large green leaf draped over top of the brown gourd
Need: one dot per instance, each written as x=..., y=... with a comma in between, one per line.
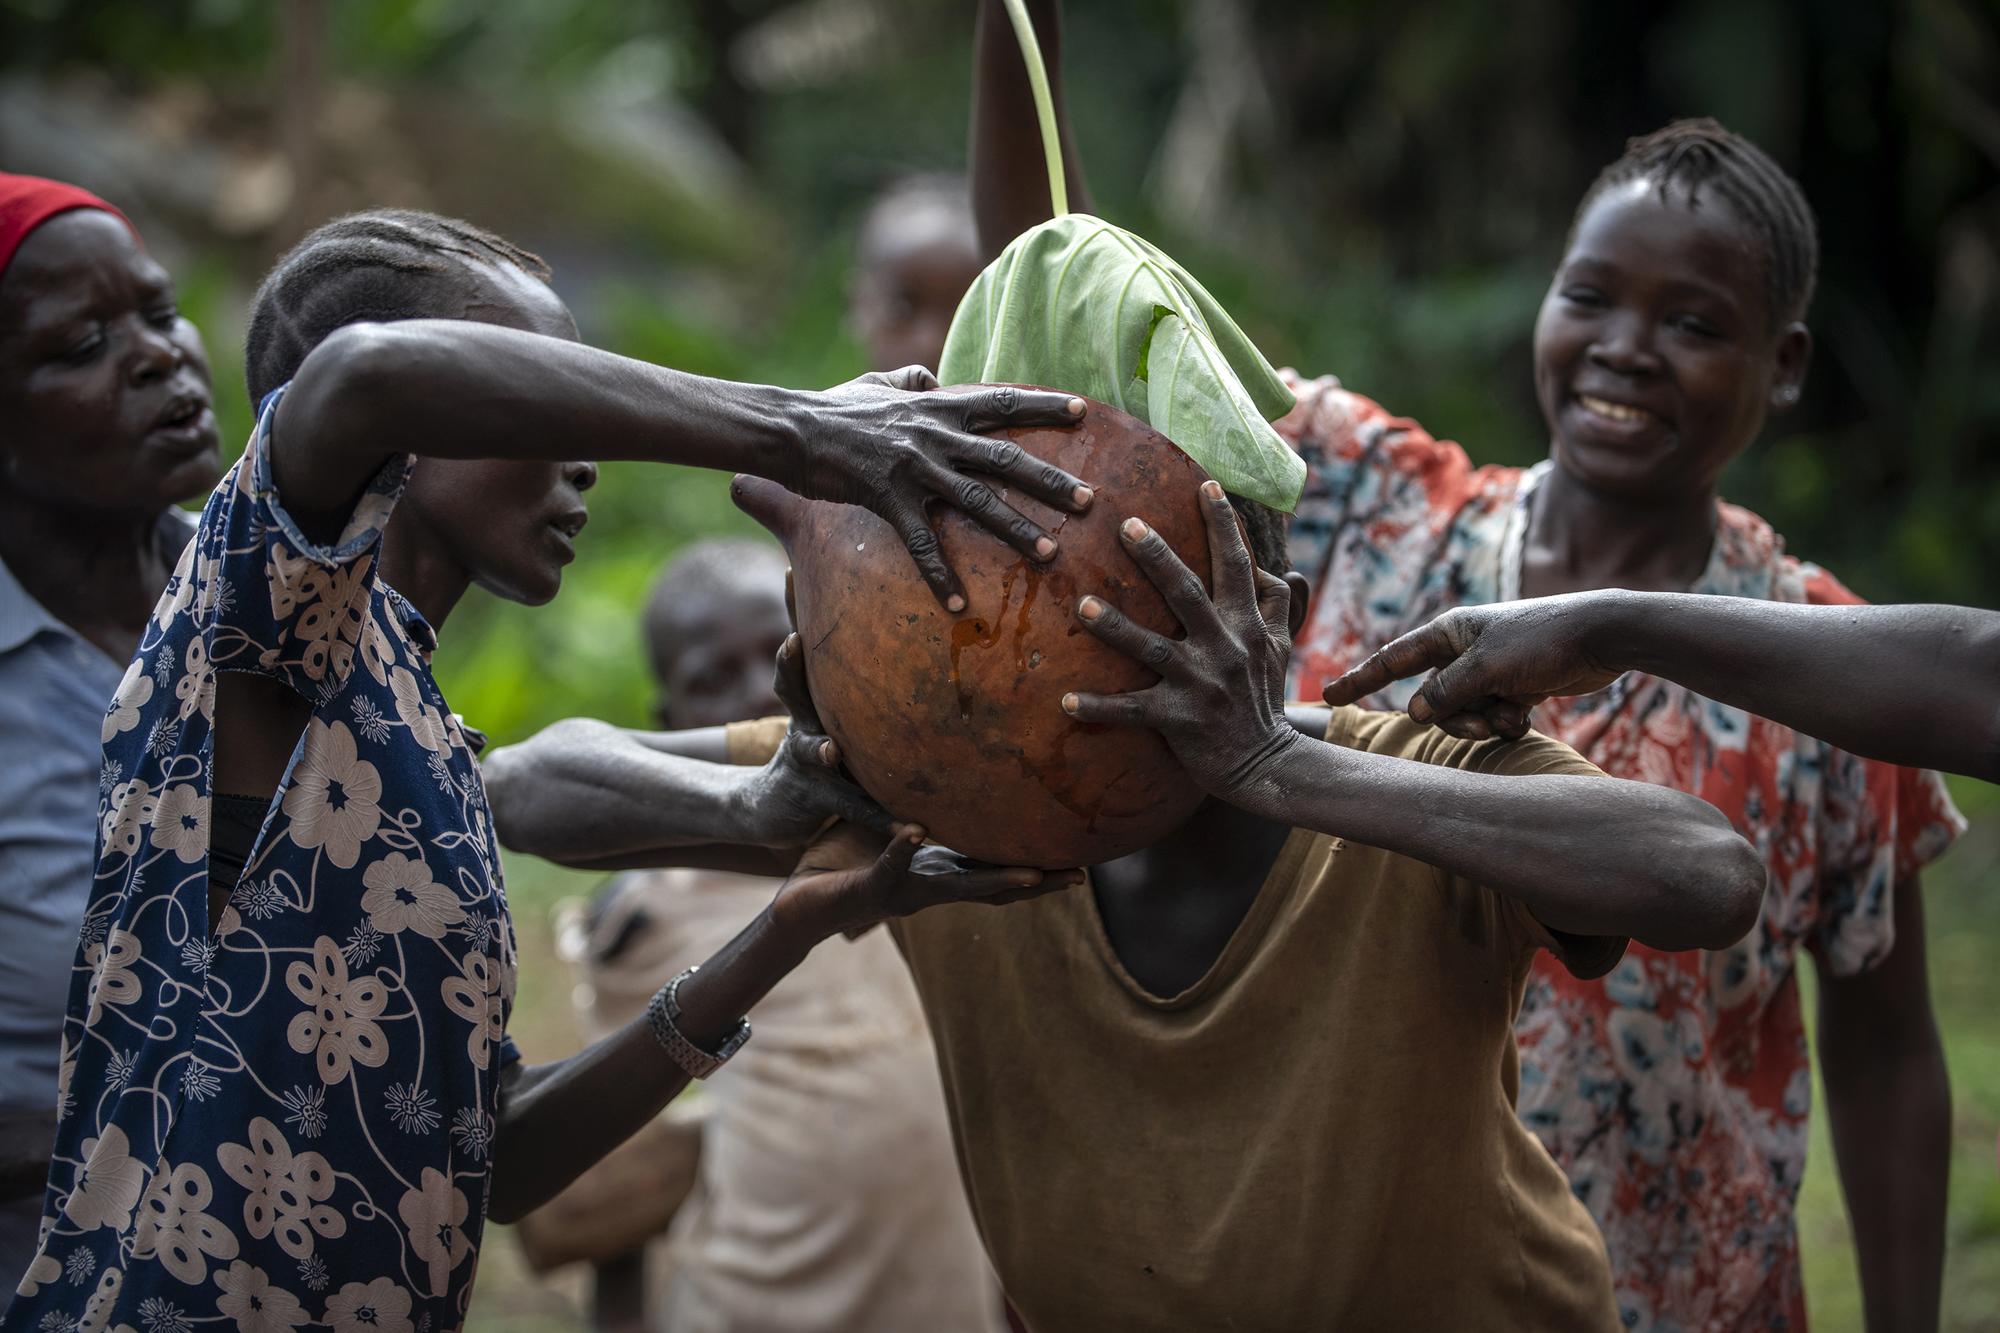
x=1091, y=309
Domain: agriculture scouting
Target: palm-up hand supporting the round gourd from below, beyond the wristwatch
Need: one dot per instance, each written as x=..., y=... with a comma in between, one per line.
x=851, y=878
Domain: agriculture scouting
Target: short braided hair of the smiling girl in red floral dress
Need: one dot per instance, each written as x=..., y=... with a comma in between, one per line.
x=1701, y=155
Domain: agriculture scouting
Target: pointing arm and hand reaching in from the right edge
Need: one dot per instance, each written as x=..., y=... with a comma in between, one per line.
x=1837, y=674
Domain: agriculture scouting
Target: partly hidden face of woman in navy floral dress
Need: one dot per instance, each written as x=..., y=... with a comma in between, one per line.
x=507, y=523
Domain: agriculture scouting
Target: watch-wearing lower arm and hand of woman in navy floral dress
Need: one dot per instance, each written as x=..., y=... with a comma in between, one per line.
x=559, y=1120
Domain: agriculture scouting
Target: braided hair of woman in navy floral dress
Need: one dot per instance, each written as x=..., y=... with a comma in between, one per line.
x=379, y=265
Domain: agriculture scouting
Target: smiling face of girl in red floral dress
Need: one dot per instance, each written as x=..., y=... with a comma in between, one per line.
x=1655, y=353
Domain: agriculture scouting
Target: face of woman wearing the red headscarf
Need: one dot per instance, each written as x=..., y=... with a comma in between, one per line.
x=103, y=383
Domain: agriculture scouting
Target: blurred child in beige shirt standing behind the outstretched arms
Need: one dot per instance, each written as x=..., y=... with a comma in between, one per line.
x=827, y=1196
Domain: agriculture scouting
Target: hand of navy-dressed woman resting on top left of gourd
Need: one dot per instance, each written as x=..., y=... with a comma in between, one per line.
x=895, y=443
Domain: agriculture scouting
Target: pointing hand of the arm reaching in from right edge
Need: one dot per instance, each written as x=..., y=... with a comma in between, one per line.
x=1491, y=665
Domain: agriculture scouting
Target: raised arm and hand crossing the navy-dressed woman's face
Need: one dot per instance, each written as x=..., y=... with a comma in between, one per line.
x=459, y=389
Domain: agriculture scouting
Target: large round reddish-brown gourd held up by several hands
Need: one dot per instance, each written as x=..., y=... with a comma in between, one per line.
x=955, y=722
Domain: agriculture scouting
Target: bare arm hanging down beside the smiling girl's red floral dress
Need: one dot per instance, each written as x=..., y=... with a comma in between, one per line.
x=1887, y=1086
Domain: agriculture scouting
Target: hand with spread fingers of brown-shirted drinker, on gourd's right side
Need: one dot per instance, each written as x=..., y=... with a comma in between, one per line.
x=1221, y=694
